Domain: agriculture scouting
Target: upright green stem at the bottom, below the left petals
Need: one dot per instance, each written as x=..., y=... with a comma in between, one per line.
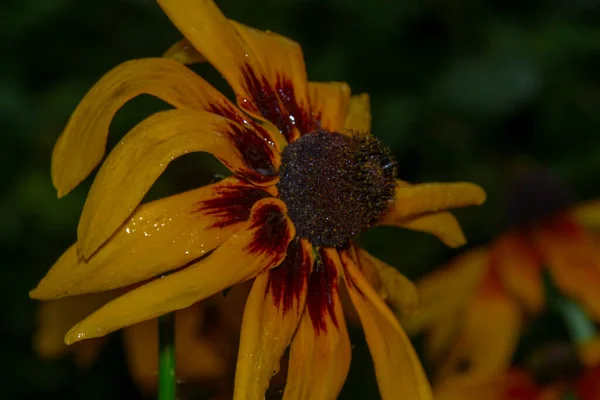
x=166, y=358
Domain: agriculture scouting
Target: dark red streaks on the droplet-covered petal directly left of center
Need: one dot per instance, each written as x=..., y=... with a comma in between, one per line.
x=232, y=204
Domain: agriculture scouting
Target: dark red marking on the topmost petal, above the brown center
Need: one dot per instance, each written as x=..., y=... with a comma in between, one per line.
x=277, y=105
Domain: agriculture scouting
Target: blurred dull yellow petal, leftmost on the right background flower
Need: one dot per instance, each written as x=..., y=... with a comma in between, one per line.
x=448, y=289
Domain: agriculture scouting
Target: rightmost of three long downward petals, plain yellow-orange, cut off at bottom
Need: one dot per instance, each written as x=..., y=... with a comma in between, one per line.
x=397, y=368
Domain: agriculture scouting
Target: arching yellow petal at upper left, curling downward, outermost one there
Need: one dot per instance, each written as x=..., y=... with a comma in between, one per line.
x=82, y=144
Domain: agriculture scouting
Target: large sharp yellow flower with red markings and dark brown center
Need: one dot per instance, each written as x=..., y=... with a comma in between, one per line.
x=307, y=178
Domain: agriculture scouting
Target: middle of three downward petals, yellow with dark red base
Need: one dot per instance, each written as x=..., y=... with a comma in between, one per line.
x=320, y=351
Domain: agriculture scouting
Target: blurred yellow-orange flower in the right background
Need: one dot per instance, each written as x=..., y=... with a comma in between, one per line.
x=472, y=310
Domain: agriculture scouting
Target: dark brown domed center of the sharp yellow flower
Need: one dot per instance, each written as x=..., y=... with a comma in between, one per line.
x=336, y=185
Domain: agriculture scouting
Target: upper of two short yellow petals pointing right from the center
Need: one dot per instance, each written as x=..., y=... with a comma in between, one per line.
x=431, y=197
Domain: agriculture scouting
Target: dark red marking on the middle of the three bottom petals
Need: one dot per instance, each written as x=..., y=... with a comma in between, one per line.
x=322, y=284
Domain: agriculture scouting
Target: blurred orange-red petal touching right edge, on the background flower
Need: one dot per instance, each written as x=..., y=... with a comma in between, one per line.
x=573, y=259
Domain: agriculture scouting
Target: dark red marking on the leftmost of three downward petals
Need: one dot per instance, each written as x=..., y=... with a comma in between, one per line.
x=289, y=280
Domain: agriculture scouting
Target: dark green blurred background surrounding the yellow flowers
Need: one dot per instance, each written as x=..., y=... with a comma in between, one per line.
x=461, y=90
